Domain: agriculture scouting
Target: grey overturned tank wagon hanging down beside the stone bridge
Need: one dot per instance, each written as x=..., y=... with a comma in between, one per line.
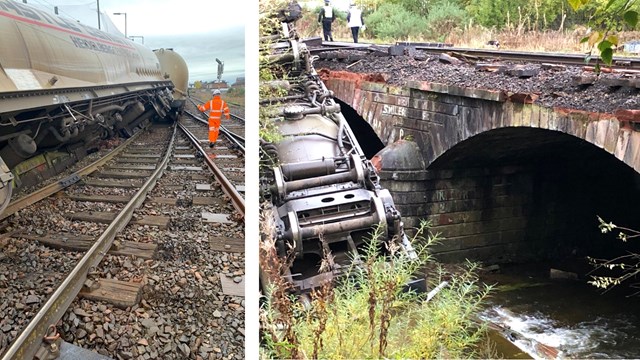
x=325, y=194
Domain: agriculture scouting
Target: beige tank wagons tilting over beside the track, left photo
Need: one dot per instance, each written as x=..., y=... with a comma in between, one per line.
x=64, y=85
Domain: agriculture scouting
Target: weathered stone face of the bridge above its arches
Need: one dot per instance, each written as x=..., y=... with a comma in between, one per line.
x=440, y=115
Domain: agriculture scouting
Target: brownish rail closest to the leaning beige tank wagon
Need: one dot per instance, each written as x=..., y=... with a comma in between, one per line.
x=53, y=188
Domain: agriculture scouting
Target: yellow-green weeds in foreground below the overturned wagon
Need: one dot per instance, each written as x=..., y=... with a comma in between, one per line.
x=366, y=314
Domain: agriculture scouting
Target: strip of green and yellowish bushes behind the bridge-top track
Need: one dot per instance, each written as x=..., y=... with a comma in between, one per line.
x=435, y=18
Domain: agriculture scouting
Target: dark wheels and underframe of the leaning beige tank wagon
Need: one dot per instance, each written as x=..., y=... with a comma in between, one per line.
x=49, y=119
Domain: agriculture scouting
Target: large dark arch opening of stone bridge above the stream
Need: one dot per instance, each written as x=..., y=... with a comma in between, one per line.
x=533, y=194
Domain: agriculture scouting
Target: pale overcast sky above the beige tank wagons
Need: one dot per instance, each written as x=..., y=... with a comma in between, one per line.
x=199, y=30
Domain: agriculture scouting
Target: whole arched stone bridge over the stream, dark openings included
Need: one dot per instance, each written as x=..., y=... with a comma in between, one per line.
x=500, y=178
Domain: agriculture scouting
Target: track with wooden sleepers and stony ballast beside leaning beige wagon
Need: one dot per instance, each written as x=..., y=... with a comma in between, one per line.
x=149, y=241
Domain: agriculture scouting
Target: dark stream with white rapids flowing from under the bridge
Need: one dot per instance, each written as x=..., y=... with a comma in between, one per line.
x=568, y=315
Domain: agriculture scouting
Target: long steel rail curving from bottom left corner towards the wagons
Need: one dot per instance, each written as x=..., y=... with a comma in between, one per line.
x=27, y=344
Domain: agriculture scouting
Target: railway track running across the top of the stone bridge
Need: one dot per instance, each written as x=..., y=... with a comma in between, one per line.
x=488, y=54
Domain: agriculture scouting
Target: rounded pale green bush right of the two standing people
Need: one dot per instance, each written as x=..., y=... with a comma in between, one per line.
x=394, y=22
